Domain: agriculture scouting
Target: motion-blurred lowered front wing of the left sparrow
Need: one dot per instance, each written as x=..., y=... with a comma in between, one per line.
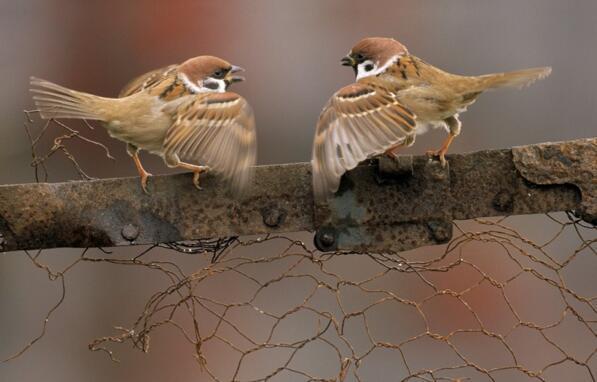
x=217, y=130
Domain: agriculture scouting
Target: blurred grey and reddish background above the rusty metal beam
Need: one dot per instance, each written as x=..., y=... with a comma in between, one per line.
x=291, y=50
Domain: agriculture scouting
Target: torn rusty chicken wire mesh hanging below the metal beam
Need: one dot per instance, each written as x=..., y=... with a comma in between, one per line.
x=509, y=299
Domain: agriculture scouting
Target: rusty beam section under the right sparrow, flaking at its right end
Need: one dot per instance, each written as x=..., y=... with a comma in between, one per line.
x=382, y=206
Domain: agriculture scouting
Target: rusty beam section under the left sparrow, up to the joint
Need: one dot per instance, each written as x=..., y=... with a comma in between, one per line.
x=113, y=212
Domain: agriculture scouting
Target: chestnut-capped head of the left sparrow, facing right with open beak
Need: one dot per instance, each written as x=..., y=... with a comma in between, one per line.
x=208, y=74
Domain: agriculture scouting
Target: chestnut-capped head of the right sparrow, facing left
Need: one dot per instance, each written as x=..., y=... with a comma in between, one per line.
x=373, y=55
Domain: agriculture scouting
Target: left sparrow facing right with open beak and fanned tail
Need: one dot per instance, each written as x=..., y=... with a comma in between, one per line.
x=181, y=112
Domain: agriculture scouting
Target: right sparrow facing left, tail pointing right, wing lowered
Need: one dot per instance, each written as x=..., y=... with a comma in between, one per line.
x=396, y=96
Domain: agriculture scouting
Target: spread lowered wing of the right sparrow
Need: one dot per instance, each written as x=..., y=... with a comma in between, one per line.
x=359, y=121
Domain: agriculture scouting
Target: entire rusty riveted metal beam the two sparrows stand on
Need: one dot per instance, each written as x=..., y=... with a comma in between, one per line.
x=382, y=205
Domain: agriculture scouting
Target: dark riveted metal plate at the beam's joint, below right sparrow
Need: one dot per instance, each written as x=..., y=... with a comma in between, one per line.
x=384, y=211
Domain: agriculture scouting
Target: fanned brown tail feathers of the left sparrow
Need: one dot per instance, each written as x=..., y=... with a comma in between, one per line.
x=55, y=101
